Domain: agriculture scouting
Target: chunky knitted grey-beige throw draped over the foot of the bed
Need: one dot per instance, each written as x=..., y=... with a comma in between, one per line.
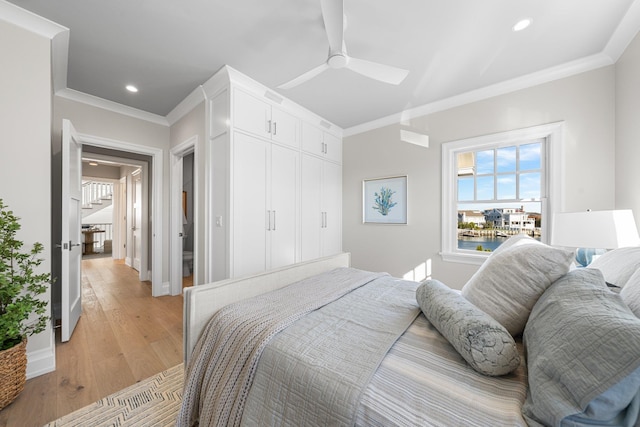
x=223, y=363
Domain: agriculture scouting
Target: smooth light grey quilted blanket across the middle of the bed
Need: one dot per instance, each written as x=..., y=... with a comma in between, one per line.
x=314, y=372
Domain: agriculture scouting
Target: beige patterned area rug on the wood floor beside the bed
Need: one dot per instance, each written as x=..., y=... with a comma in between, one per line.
x=151, y=402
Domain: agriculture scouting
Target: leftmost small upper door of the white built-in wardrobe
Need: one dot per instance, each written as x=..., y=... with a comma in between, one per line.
x=251, y=114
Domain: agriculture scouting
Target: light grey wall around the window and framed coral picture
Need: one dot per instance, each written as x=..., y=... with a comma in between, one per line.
x=585, y=102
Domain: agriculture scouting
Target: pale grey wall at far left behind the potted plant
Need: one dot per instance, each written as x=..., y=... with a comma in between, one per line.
x=25, y=119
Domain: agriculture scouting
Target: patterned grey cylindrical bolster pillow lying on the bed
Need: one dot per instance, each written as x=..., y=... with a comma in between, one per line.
x=481, y=341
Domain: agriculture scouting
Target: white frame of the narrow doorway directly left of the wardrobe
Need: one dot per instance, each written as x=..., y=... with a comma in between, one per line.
x=177, y=154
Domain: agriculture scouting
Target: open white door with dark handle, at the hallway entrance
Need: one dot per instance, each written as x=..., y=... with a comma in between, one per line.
x=71, y=223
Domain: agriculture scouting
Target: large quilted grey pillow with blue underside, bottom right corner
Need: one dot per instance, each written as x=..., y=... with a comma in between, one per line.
x=583, y=355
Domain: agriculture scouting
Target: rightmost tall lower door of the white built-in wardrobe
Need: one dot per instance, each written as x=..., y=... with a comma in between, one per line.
x=332, y=208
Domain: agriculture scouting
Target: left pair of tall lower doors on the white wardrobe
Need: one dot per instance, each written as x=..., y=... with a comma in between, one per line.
x=264, y=204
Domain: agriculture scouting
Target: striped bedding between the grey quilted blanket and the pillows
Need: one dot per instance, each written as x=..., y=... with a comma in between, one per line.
x=423, y=381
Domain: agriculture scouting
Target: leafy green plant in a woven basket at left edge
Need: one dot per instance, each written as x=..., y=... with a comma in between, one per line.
x=22, y=312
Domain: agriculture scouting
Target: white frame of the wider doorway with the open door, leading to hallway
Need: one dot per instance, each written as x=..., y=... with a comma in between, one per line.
x=156, y=232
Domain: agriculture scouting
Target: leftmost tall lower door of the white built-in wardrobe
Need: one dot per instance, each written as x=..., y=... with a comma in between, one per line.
x=249, y=204
